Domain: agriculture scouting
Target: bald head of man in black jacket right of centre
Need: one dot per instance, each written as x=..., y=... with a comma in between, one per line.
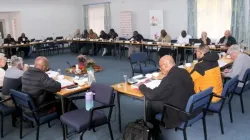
x=166, y=63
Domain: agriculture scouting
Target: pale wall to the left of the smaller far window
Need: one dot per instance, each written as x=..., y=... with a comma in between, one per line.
x=45, y=17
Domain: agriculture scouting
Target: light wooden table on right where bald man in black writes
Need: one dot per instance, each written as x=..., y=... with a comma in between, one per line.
x=129, y=91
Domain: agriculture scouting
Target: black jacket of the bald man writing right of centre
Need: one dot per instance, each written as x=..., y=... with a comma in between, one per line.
x=175, y=89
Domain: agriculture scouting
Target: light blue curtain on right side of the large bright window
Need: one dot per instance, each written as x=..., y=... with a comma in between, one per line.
x=238, y=20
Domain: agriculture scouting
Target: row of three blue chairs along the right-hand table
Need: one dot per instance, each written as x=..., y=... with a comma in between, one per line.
x=202, y=102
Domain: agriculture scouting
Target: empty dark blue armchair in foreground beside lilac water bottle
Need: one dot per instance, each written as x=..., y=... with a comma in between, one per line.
x=81, y=120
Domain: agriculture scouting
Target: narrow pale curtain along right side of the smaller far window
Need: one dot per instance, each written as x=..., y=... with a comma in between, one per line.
x=107, y=17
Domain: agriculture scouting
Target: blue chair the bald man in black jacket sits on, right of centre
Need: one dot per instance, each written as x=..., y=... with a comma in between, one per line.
x=195, y=111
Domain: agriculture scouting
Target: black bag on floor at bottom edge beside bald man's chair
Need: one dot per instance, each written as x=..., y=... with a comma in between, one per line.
x=137, y=130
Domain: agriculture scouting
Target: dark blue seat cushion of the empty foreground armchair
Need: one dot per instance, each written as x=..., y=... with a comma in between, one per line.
x=76, y=120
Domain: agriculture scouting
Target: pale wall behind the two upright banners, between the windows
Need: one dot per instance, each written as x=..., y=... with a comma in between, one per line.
x=175, y=14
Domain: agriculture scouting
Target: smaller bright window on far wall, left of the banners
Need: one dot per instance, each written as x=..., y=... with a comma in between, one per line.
x=96, y=18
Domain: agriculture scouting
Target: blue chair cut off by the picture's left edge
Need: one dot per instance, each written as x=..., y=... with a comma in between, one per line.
x=6, y=111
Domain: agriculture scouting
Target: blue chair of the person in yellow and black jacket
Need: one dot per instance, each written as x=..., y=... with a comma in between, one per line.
x=217, y=107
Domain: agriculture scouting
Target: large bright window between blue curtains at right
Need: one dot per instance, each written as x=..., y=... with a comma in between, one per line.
x=214, y=17
